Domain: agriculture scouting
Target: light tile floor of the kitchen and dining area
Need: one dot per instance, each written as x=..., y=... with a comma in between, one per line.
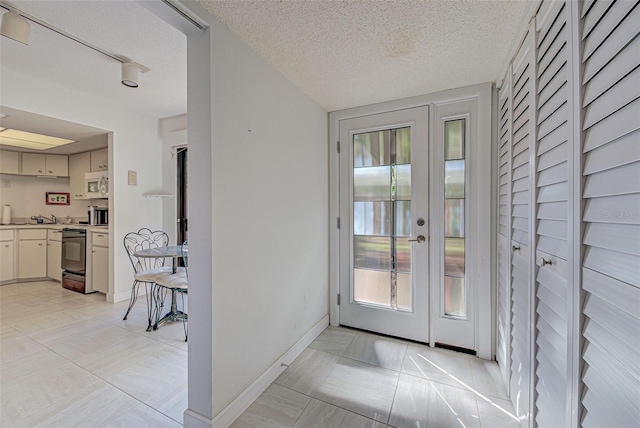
x=68, y=359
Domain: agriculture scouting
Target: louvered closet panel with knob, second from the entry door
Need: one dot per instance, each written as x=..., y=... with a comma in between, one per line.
x=520, y=230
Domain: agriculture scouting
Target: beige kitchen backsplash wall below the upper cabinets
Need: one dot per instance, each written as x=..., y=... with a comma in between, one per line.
x=26, y=195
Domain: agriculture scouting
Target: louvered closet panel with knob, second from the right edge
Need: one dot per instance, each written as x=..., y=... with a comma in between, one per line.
x=552, y=126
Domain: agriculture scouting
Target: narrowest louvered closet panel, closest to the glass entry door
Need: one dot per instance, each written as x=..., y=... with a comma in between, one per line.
x=503, y=351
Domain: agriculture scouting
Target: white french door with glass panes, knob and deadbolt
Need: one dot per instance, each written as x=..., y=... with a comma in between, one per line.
x=384, y=233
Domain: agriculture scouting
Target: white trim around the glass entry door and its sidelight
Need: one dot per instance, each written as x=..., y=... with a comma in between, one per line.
x=482, y=93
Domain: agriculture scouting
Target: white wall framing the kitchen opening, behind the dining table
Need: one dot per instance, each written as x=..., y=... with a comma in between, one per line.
x=135, y=146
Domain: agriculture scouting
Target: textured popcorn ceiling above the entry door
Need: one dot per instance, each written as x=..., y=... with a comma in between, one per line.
x=350, y=53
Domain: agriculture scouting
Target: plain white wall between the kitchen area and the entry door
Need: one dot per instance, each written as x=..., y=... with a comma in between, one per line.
x=266, y=205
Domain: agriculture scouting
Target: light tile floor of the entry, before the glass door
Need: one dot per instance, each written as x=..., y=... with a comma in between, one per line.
x=348, y=378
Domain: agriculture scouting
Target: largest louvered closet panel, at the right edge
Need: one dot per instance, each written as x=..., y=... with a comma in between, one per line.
x=611, y=263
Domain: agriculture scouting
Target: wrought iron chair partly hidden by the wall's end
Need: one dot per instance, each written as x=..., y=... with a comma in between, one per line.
x=177, y=283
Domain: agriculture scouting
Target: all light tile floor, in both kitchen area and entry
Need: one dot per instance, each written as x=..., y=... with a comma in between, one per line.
x=68, y=359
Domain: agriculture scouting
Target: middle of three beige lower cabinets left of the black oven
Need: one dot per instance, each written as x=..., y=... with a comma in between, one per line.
x=32, y=253
